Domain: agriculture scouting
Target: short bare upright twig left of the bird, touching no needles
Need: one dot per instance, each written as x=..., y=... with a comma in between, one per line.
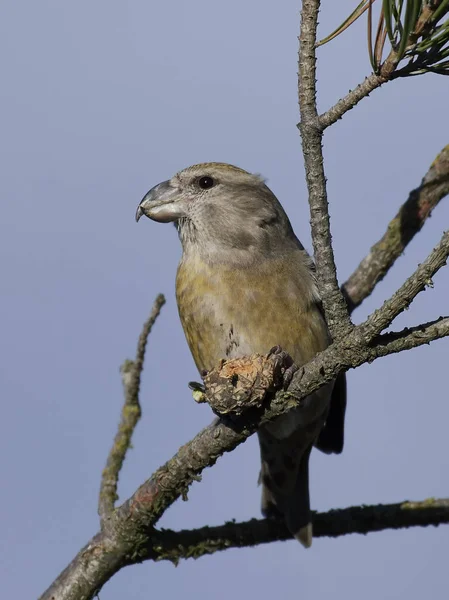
x=131, y=373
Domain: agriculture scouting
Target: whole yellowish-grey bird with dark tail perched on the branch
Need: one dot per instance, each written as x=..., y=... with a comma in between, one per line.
x=244, y=285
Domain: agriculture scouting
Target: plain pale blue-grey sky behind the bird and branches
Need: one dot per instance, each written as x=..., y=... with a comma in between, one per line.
x=99, y=102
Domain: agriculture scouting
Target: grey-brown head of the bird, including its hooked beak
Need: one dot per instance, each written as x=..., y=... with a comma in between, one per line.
x=221, y=211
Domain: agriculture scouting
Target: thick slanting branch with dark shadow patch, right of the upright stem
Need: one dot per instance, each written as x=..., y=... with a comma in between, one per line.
x=400, y=231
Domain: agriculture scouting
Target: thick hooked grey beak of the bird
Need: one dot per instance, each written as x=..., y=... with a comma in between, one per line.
x=161, y=204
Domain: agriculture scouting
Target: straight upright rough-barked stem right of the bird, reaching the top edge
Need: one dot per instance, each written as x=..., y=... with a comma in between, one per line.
x=334, y=304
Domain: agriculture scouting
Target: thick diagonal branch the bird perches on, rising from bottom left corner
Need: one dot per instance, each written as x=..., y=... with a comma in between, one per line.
x=129, y=532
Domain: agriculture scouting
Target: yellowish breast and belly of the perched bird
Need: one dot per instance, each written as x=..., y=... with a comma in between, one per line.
x=232, y=312
